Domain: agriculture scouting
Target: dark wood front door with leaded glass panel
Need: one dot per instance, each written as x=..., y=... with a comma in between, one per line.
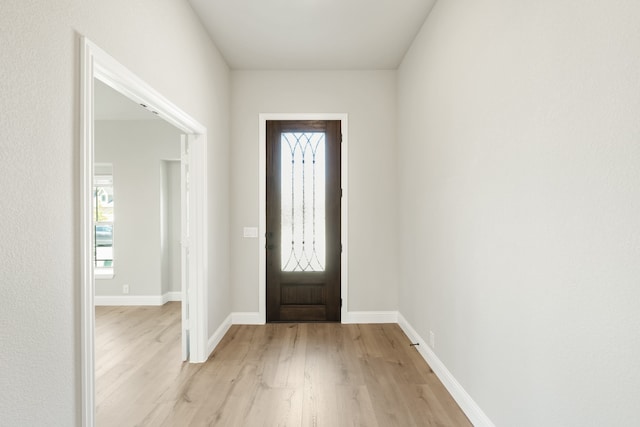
x=303, y=220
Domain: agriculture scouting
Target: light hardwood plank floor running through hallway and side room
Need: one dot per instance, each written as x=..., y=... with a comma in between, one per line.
x=287, y=374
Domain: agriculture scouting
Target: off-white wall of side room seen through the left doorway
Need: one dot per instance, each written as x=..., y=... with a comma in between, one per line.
x=137, y=149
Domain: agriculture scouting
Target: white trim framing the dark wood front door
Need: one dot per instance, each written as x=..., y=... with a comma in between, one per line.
x=262, y=196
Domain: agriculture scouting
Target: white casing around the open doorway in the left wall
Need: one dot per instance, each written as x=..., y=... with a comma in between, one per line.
x=97, y=64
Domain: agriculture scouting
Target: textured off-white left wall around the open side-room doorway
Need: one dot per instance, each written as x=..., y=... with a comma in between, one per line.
x=164, y=44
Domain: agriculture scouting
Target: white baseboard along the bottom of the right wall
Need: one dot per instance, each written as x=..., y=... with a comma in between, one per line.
x=471, y=409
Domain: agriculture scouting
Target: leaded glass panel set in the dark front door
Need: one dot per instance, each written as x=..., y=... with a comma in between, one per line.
x=303, y=201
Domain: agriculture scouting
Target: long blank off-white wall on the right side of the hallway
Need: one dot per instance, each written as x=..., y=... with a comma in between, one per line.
x=519, y=168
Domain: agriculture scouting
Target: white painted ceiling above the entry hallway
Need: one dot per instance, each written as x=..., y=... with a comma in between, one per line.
x=313, y=34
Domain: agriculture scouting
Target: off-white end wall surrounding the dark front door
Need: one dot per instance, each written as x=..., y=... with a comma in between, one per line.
x=369, y=99
